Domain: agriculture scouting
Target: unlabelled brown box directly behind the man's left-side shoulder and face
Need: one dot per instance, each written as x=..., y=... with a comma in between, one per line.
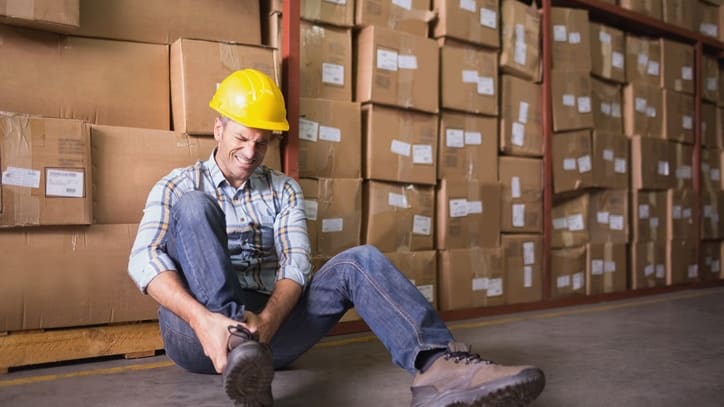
x=127, y=163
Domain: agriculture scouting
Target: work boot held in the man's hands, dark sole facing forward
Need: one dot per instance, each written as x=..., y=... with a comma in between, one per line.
x=249, y=370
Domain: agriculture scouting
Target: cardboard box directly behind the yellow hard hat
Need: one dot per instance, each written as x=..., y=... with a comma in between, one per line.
x=196, y=69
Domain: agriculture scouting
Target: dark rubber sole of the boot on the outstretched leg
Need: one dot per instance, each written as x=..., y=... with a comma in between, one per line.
x=516, y=391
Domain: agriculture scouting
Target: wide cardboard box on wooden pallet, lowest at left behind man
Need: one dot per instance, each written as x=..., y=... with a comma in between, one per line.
x=90, y=287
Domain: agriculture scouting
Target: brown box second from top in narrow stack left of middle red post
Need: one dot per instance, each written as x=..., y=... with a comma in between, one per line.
x=520, y=117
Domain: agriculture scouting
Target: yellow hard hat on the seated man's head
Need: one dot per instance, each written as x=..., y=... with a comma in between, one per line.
x=252, y=99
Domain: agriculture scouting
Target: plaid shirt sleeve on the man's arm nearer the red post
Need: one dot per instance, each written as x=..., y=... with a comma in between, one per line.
x=290, y=235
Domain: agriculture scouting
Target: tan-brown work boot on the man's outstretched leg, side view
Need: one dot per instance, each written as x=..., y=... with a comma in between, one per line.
x=460, y=378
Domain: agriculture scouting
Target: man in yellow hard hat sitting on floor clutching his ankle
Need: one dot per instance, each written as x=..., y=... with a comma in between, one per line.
x=222, y=247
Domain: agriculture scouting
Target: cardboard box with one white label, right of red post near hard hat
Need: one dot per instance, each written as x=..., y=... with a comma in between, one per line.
x=325, y=55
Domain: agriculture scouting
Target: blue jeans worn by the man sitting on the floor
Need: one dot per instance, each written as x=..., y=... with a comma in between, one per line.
x=360, y=277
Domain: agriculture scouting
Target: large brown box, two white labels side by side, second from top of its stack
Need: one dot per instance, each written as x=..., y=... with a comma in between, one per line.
x=398, y=69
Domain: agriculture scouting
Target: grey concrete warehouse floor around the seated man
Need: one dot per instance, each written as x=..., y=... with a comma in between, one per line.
x=662, y=350
